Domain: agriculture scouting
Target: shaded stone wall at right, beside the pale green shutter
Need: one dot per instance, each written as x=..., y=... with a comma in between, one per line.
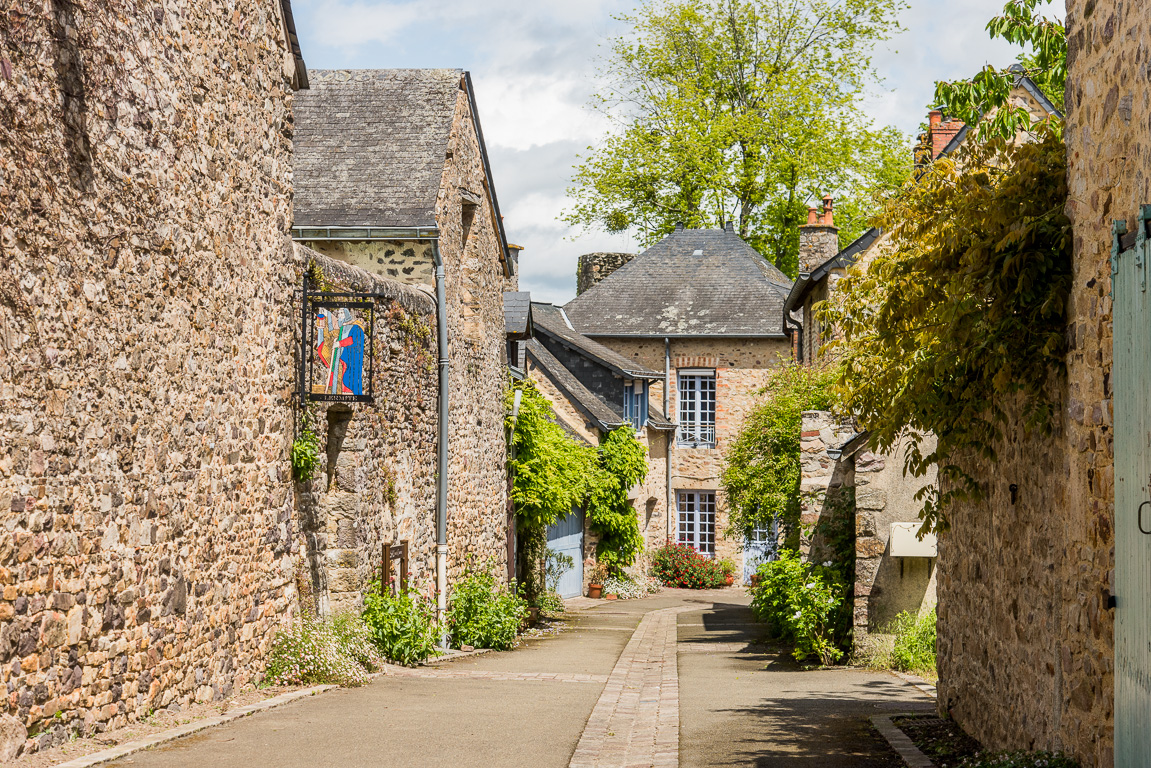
x=1025, y=633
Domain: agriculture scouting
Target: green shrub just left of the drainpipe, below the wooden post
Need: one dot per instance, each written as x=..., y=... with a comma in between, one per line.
x=402, y=627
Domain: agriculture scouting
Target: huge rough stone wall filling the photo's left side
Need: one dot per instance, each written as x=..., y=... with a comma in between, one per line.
x=146, y=356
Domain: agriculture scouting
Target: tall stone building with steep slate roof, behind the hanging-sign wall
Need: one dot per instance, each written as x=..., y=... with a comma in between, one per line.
x=391, y=171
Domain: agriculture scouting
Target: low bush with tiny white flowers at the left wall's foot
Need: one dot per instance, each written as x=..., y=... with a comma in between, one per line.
x=317, y=652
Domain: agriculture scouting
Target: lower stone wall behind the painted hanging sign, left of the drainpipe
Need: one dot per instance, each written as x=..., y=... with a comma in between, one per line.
x=377, y=482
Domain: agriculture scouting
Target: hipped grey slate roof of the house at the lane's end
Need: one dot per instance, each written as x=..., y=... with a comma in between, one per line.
x=695, y=283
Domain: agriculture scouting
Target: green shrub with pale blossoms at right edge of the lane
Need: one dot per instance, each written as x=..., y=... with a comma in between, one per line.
x=803, y=604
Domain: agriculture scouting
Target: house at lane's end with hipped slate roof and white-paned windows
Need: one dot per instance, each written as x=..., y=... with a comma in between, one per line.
x=706, y=309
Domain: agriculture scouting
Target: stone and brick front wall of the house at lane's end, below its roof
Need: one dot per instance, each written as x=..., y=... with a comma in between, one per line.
x=743, y=367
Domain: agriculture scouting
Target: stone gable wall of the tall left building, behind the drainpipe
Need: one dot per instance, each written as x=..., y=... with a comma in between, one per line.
x=477, y=276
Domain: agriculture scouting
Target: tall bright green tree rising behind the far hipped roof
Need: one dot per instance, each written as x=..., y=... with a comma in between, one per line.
x=740, y=111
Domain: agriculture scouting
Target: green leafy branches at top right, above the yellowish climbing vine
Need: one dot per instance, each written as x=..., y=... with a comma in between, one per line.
x=1045, y=60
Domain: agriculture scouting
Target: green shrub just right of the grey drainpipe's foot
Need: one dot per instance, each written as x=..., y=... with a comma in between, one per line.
x=485, y=614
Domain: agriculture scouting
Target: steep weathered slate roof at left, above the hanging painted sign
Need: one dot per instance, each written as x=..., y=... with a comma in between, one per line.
x=370, y=147
